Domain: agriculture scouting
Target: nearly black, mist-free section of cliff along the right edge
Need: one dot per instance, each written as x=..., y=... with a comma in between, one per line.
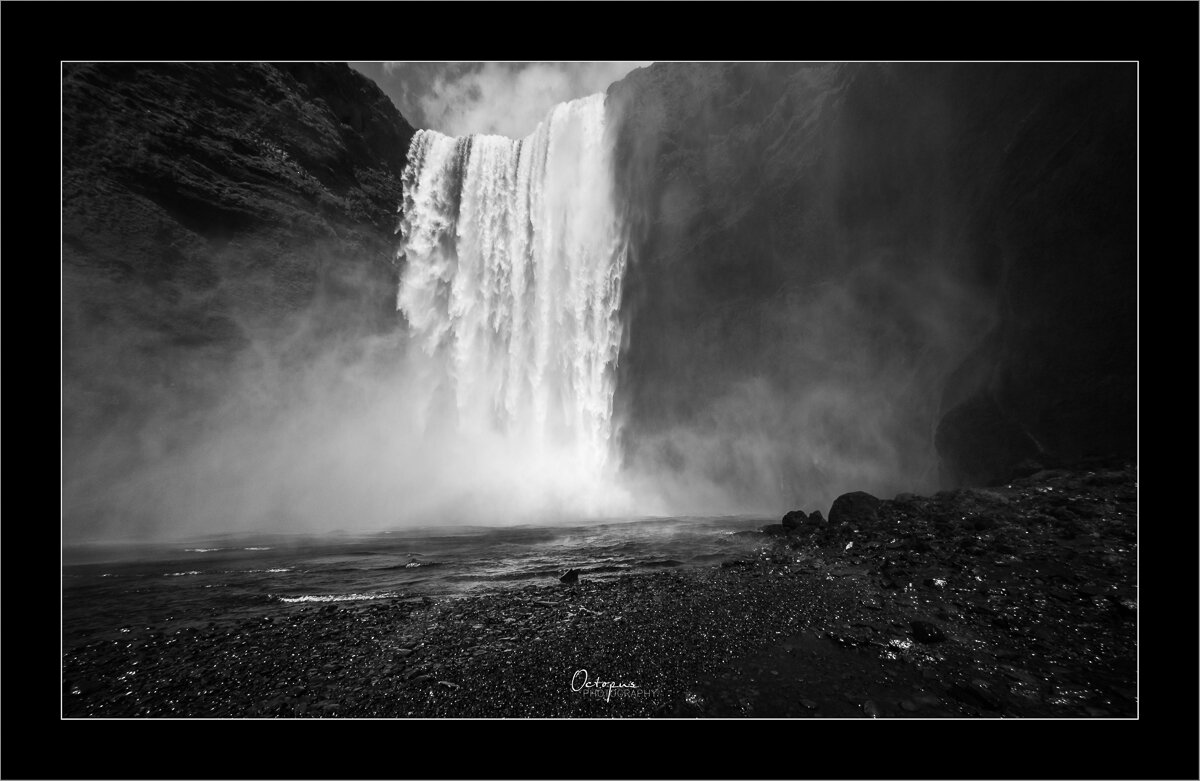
x=1057, y=380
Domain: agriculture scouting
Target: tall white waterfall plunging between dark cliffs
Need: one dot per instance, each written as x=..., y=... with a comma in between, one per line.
x=513, y=256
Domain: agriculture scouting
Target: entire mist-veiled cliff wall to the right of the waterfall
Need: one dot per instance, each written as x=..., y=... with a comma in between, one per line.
x=875, y=277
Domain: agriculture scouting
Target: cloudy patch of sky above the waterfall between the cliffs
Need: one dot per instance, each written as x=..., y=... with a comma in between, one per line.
x=508, y=99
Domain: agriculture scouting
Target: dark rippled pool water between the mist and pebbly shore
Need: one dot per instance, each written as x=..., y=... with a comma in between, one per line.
x=110, y=588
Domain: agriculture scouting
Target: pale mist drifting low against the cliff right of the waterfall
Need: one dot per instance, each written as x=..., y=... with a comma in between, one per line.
x=838, y=400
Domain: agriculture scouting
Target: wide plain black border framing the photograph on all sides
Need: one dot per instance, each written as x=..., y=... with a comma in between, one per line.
x=1162, y=744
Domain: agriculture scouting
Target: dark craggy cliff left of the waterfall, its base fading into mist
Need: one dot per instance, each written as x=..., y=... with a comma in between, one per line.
x=215, y=217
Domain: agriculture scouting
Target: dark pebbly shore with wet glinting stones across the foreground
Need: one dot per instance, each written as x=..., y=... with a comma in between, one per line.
x=1012, y=602
